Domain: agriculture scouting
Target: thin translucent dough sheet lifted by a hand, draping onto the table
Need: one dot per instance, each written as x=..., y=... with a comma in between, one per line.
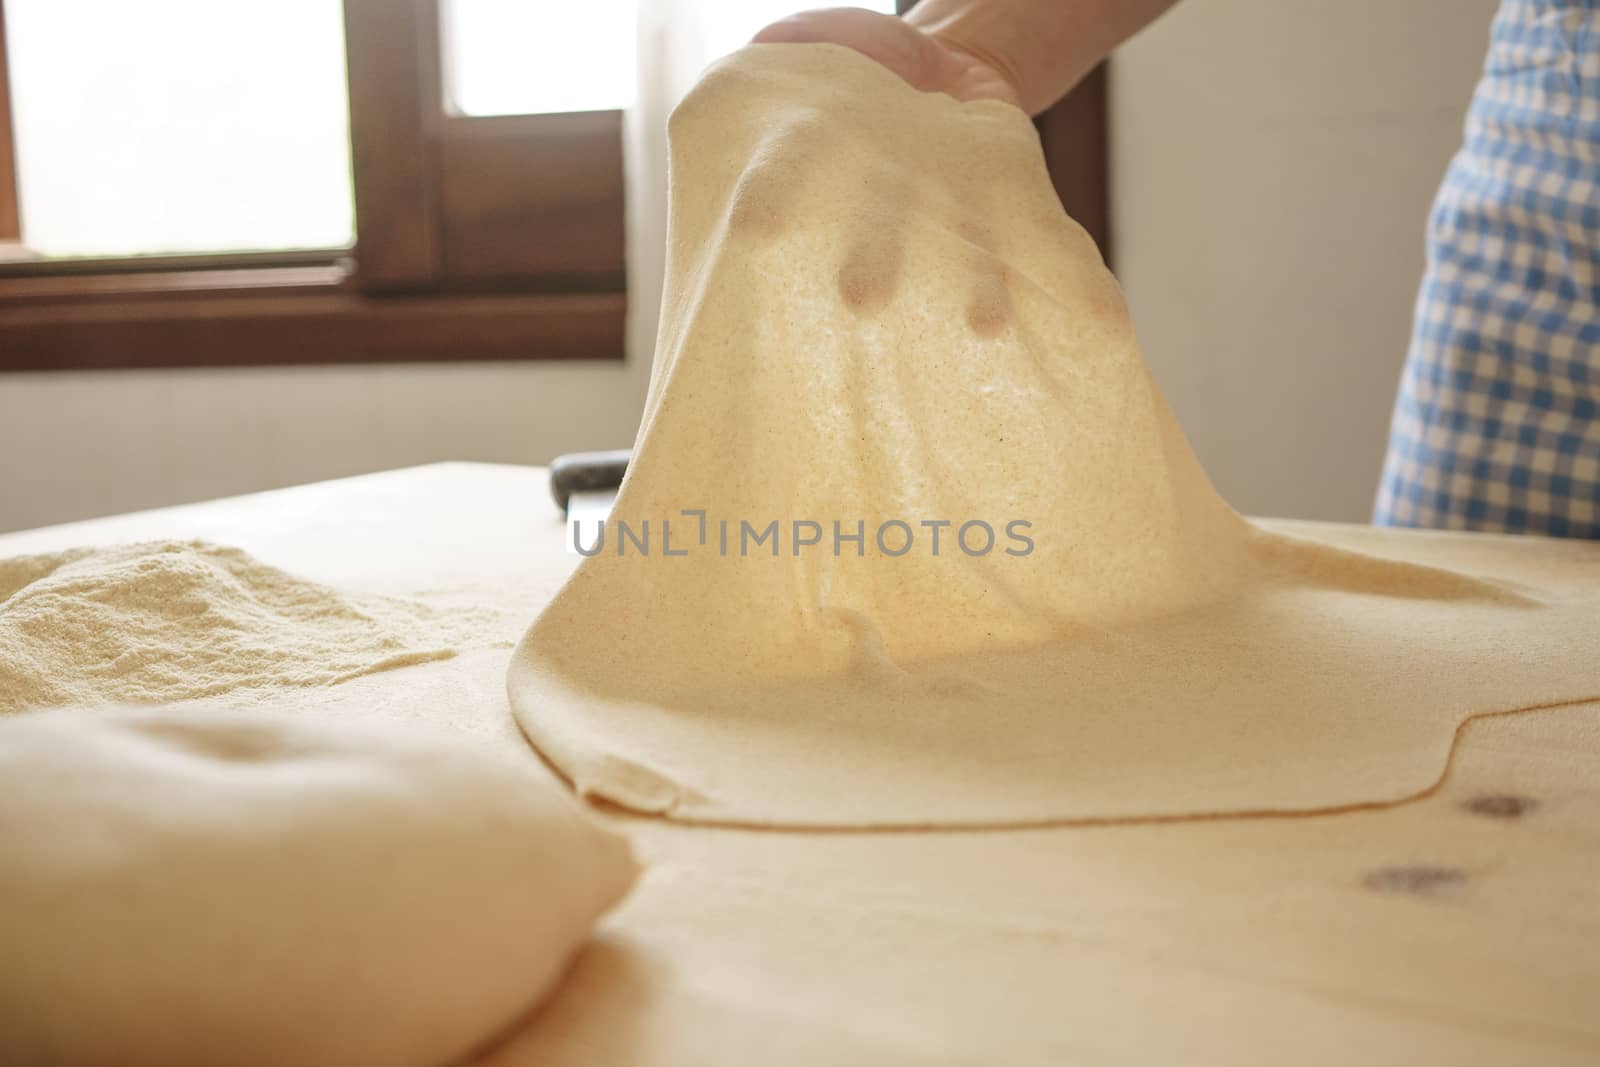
x=881, y=329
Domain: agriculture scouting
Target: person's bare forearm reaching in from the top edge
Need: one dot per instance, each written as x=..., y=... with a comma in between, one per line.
x=1044, y=47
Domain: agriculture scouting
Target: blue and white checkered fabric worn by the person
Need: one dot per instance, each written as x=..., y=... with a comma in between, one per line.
x=1498, y=418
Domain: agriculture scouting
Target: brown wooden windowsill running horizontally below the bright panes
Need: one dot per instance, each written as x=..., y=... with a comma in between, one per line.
x=294, y=314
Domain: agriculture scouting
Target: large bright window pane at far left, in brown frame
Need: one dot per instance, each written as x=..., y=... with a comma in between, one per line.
x=180, y=126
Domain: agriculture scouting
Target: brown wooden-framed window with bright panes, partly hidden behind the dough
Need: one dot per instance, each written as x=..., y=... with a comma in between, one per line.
x=390, y=186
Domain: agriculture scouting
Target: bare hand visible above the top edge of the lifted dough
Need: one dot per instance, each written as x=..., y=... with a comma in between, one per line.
x=927, y=62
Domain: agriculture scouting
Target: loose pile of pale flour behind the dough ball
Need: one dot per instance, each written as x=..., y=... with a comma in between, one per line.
x=170, y=621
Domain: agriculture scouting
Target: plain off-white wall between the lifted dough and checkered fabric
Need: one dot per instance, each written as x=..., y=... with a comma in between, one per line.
x=1273, y=167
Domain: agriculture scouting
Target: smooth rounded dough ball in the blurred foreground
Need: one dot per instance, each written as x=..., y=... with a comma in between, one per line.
x=207, y=887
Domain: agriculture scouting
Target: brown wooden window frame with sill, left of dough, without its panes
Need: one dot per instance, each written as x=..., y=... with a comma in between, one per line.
x=478, y=239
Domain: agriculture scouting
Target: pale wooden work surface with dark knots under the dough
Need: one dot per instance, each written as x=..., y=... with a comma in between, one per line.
x=1457, y=929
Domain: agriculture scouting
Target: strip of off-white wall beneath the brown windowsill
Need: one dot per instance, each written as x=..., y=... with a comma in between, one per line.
x=97, y=444
